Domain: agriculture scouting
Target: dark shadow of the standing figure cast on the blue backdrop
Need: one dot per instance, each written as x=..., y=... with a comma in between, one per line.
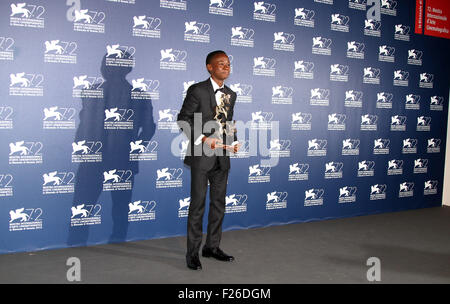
x=108, y=126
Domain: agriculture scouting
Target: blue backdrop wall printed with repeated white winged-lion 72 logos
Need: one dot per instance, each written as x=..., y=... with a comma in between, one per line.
x=351, y=111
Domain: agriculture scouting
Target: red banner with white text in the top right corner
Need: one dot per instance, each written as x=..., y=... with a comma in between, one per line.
x=436, y=22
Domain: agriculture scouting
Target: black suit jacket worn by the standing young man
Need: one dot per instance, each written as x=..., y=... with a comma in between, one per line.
x=200, y=99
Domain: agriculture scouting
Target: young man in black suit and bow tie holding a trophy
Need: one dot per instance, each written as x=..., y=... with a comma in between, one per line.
x=205, y=119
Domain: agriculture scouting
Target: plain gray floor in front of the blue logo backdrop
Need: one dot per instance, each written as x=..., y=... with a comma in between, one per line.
x=413, y=247
